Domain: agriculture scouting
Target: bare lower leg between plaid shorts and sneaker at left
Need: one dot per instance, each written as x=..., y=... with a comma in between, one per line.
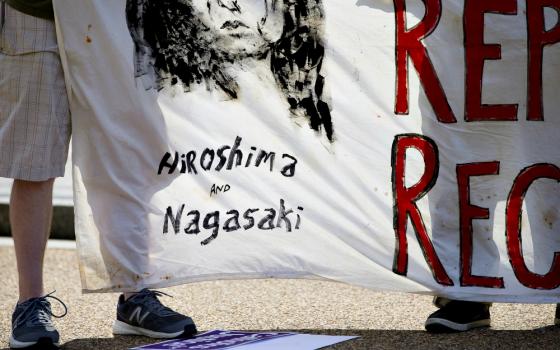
x=30, y=221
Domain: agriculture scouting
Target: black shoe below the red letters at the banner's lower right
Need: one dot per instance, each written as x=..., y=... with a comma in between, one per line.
x=458, y=316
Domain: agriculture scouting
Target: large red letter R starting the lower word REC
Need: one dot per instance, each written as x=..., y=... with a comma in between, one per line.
x=405, y=203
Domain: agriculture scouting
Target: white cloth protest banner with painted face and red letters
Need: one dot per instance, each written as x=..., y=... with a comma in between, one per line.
x=396, y=145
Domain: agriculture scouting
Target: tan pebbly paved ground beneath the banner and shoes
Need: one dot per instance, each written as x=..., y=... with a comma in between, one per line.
x=383, y=320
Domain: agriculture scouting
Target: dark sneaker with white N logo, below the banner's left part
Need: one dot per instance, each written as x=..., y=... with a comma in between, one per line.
x=144, y=314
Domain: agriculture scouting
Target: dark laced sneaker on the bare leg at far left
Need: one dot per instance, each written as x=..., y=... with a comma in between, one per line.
x=32, y=326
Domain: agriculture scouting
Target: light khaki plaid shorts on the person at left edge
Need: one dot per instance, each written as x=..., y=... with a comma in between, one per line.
x=34, y=116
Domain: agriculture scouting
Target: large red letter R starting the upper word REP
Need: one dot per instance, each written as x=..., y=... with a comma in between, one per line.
x=408, y=44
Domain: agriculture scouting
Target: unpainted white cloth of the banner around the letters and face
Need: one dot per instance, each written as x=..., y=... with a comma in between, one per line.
x=121, y=131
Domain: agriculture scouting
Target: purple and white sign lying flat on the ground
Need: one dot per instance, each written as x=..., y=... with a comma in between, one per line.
x=215, y=340
